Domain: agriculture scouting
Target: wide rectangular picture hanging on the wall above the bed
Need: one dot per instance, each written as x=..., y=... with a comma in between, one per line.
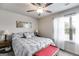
x=22, y=24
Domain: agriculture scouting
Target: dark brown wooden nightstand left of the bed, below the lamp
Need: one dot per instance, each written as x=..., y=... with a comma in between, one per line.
x=5, y=46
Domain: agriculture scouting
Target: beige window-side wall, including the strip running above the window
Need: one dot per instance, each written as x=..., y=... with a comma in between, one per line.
x=46, y=23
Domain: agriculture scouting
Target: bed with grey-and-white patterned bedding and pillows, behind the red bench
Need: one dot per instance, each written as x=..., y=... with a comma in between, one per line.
x=27, y=46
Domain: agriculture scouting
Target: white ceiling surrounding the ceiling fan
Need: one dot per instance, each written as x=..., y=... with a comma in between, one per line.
x=23, y=7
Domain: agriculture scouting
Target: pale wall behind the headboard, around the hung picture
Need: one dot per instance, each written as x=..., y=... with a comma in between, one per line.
x=8, y=21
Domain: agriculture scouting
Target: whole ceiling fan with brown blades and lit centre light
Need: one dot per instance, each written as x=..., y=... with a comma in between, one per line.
x=41, y=7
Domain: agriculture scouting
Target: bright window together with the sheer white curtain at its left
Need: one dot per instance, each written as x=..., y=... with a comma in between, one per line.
x=66, y=29
